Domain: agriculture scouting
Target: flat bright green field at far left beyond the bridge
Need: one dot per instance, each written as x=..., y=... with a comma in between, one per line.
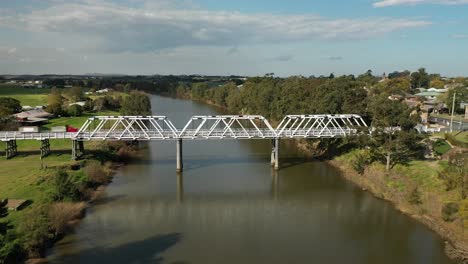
x=27, y=96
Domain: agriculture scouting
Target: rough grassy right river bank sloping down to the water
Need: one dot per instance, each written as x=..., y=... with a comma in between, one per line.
x=418, y=190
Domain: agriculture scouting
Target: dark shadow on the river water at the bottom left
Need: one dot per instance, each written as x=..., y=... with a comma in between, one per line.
x=143, y=251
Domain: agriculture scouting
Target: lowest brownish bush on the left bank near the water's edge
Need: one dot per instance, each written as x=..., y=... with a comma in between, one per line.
x=61, y=214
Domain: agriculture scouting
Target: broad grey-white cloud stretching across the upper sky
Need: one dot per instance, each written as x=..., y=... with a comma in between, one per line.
x=151, y=27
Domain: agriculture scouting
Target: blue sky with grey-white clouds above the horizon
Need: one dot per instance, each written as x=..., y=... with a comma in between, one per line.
x=296, y=37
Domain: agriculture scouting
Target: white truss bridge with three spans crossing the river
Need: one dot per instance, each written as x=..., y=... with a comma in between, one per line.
x=130, y=128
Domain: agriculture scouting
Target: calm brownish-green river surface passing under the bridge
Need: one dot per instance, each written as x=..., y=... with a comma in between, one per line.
x=229, y=206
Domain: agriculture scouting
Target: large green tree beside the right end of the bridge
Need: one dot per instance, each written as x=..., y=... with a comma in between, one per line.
x=394, y=140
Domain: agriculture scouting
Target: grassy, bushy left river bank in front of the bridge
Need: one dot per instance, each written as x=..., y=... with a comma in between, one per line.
x=57, y=190
